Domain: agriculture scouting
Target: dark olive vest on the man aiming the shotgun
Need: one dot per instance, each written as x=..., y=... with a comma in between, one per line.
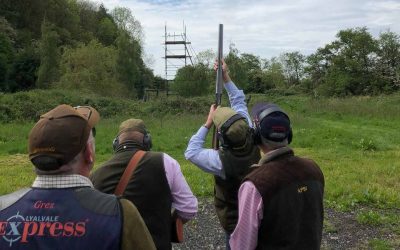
x=236, y=165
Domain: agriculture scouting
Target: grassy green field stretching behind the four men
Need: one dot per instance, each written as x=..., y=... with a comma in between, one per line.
x=355, y=141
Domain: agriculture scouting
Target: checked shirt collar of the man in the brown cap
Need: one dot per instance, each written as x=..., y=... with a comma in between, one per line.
x=61, y=181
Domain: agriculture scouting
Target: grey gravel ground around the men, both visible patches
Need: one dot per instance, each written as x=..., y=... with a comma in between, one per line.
x=341, y=231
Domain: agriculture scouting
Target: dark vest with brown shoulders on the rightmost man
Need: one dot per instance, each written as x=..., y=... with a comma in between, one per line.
x=292, y=191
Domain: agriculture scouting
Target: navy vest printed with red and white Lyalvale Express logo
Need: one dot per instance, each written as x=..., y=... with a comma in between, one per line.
x=70, y=218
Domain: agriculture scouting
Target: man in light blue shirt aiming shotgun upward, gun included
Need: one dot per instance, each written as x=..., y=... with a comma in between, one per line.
x=231, y=160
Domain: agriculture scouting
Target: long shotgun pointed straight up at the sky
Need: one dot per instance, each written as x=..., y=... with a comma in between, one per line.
x=218, y=84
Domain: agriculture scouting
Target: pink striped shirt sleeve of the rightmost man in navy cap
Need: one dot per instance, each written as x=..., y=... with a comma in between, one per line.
x=250, y=215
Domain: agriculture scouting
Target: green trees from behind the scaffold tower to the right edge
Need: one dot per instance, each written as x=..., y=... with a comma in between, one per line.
x=355, y=63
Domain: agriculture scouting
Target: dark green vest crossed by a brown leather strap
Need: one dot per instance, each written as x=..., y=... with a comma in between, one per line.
x=148, y=190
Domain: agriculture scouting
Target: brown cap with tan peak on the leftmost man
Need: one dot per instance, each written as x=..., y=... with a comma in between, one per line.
x=60, y=135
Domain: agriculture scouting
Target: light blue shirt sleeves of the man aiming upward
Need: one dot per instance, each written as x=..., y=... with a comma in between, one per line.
x=208, y=159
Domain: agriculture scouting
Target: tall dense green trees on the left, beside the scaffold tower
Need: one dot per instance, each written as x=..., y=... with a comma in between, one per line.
x=71, y=44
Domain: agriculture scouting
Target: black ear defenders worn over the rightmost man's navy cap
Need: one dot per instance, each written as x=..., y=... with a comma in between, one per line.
x=257, y=121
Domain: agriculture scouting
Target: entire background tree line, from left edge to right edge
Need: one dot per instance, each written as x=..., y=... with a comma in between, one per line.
x=80, y=45
